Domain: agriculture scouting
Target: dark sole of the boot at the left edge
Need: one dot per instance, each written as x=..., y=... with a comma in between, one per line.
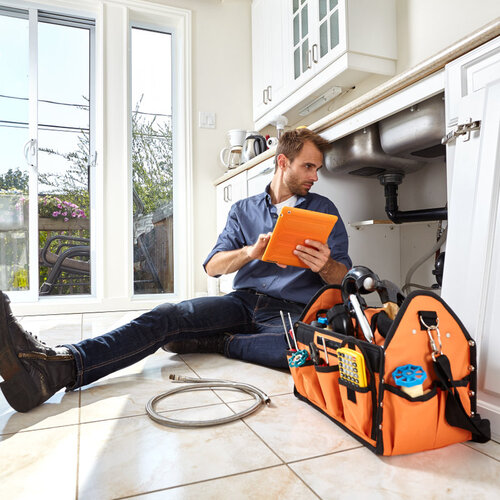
x=17, y=387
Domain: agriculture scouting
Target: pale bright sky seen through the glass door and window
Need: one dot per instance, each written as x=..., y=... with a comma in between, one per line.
x=63, y=85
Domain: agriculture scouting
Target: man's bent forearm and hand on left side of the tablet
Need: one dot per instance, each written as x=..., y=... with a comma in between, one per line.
x=228, y=261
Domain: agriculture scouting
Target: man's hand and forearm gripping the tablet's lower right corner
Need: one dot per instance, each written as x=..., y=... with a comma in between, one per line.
x=316, y=256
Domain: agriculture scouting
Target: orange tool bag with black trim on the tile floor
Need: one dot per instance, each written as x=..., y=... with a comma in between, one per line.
x=412, y=389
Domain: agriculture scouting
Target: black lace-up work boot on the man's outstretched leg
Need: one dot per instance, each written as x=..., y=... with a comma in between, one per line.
x=32, y=372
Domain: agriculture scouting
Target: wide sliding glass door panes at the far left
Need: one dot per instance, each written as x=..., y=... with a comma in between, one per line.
x=45, y=151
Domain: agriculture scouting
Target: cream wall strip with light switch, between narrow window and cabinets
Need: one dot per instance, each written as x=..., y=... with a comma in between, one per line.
x=222, y=83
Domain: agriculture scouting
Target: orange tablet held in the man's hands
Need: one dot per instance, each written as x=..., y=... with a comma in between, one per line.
x=294, y=226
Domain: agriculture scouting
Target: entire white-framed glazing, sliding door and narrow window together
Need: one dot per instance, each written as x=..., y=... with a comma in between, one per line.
x=77, y=135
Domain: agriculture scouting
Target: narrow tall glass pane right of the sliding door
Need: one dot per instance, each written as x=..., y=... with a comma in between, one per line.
x=152, y=161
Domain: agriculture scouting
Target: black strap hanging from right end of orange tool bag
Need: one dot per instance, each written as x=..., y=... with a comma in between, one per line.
x=455, y=412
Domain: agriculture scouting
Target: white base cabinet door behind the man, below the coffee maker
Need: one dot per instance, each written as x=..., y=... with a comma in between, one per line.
x=227, y=193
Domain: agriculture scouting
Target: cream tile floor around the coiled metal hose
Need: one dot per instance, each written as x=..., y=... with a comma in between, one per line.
x=98, y=443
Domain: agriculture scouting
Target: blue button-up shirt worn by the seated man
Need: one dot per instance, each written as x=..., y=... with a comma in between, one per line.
x=257, y=215
